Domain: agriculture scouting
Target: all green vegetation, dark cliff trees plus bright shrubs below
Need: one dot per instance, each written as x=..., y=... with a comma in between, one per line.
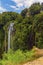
x=28, y=32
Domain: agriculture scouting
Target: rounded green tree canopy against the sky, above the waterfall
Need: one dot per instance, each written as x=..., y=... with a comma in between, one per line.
x=7, y=16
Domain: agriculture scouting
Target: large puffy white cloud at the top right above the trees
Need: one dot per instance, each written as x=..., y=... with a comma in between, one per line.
x=25, y=3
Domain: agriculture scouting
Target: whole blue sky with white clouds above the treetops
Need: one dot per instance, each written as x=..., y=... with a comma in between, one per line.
x=16, y=5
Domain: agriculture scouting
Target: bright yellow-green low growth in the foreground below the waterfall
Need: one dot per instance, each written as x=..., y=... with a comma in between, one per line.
x=18, y=57
